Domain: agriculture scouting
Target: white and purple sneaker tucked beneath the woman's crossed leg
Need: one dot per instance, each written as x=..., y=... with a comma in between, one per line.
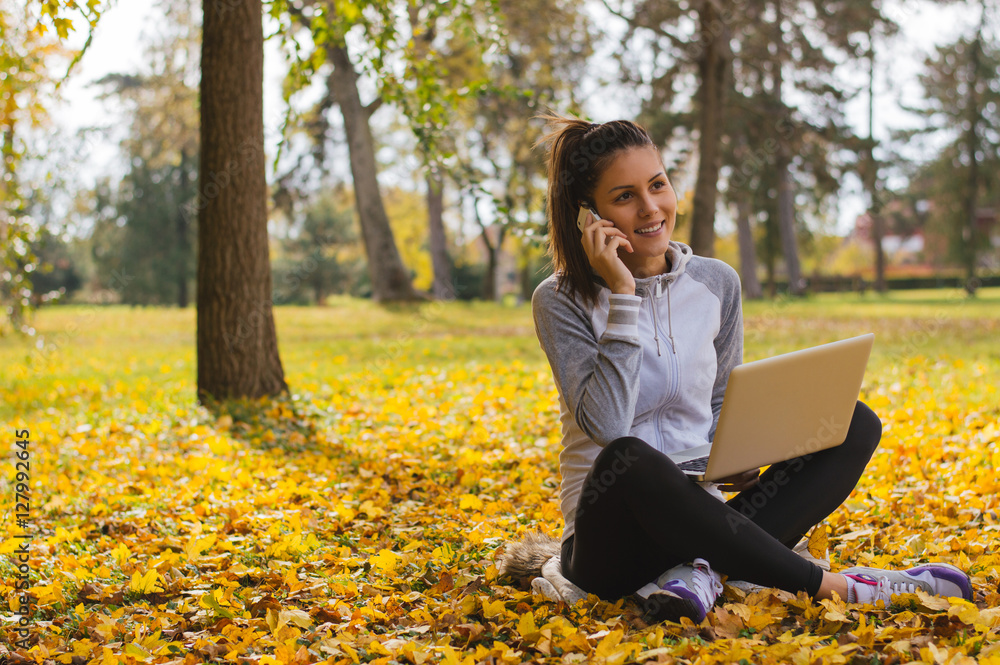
x=684, y=591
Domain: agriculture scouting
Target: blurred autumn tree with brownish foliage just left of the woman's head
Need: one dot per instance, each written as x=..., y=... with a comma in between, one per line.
x=497, y=170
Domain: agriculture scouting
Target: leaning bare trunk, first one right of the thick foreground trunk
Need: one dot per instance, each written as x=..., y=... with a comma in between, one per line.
x=390, y=278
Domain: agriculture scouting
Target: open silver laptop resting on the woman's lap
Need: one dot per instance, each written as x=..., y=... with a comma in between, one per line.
x=782, y=407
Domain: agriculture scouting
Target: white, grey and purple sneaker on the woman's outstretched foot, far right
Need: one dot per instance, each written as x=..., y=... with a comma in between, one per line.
x=936, y=579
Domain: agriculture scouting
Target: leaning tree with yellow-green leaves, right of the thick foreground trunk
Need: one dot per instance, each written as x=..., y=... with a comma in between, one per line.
x=388, y=45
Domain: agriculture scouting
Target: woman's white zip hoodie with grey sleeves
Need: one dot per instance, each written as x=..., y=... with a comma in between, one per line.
x=653, y=365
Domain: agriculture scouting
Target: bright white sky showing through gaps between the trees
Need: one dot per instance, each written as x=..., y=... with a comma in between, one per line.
x=117, y=47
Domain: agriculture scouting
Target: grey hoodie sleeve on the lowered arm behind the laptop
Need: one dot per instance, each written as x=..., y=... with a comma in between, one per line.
x=724, y=282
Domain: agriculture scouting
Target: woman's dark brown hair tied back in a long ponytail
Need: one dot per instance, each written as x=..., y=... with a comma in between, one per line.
x=579, y=152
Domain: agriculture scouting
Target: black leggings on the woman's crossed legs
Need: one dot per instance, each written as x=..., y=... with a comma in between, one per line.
x=639, y=515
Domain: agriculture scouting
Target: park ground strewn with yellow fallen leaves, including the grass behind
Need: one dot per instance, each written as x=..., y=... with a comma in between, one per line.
x=359, y=519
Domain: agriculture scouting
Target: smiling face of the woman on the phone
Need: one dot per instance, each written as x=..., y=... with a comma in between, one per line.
x=635, y=194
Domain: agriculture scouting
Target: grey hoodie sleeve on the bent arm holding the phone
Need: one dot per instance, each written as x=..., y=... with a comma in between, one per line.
x=598, y=379
